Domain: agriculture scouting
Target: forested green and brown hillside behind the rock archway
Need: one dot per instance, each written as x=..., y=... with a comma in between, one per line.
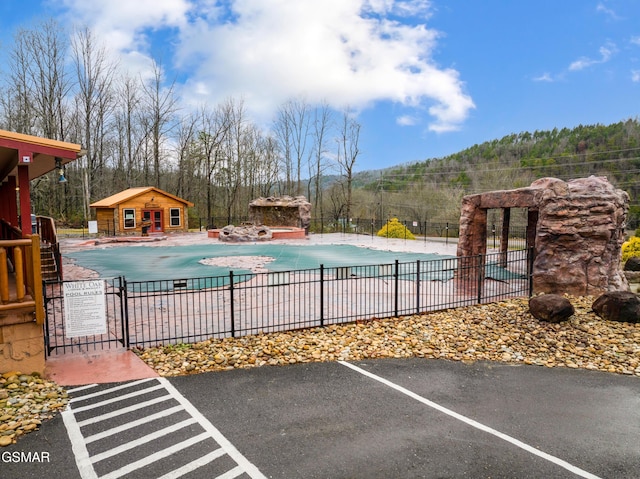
x=514, y=161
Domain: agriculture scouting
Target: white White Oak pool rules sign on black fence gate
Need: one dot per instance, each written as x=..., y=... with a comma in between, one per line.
x=85, y=309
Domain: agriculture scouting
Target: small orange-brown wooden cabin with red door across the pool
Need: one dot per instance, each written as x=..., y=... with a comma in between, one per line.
x=142, y=210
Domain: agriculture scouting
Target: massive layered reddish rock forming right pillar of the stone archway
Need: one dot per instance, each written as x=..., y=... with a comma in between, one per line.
x=579, y=237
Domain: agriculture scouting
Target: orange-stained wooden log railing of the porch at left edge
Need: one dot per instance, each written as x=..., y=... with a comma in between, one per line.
x=21, y=277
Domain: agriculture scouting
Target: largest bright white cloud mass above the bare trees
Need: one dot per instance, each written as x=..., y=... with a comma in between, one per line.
x=346, y=52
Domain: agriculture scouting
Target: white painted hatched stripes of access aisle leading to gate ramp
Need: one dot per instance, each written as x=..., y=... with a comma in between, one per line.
x=85, y=461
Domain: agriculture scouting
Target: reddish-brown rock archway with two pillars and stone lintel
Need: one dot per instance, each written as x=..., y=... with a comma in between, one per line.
x=576, y=229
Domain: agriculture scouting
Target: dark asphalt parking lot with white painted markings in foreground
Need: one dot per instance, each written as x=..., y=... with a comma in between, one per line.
x=409, y=418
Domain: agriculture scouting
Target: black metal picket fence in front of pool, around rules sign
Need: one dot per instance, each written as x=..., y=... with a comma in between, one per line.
x=189, y=310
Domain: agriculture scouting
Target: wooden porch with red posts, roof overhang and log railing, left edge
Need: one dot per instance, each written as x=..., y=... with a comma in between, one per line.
x=22, y=312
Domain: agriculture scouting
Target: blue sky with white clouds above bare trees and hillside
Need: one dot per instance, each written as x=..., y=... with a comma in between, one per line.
x=427, y=77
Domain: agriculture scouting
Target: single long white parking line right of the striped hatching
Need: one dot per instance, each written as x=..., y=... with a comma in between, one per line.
x=476, y=424
